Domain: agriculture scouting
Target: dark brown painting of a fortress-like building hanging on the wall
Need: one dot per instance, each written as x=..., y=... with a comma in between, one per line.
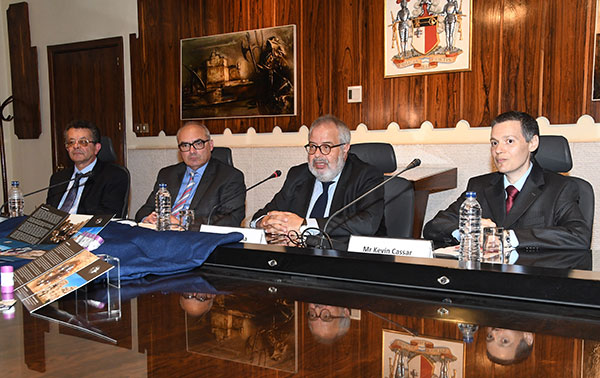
x=242, y=74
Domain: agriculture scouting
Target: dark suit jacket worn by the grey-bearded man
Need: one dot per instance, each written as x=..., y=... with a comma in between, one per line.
x=364, y=218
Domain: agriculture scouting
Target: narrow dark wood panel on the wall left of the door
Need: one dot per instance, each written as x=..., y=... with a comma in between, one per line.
x=24, y=73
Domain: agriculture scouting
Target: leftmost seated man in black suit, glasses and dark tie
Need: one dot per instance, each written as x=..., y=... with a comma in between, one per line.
x=97, y=188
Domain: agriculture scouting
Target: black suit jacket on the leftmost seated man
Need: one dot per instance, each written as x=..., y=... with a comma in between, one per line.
x=104, y=192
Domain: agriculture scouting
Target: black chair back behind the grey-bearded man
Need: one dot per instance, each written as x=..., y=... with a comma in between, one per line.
x=399, y=193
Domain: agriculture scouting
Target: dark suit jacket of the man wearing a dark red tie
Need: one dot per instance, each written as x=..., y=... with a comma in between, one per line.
x=545, y=214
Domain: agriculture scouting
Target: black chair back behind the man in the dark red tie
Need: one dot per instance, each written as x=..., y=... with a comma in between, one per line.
x=554, y=155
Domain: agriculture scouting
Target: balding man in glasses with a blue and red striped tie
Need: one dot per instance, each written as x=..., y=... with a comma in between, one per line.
x=199, y=183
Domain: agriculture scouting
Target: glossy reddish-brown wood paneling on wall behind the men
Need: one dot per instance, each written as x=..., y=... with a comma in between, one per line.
x=526, y=55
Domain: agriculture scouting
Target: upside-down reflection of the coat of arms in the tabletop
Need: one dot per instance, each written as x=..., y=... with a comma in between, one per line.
x=415, y=356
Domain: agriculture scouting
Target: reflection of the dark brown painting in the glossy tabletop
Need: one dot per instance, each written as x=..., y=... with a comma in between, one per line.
x=242, y=329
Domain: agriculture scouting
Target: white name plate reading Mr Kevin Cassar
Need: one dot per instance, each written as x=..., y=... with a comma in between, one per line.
x=389, y=246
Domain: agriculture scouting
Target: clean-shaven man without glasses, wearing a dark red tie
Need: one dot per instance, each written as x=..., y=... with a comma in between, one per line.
x=538, y=207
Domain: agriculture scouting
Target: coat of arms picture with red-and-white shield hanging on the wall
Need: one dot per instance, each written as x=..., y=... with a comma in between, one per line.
x=423, y=37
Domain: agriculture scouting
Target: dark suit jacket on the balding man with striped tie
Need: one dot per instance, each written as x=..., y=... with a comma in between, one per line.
x=220, y=184
